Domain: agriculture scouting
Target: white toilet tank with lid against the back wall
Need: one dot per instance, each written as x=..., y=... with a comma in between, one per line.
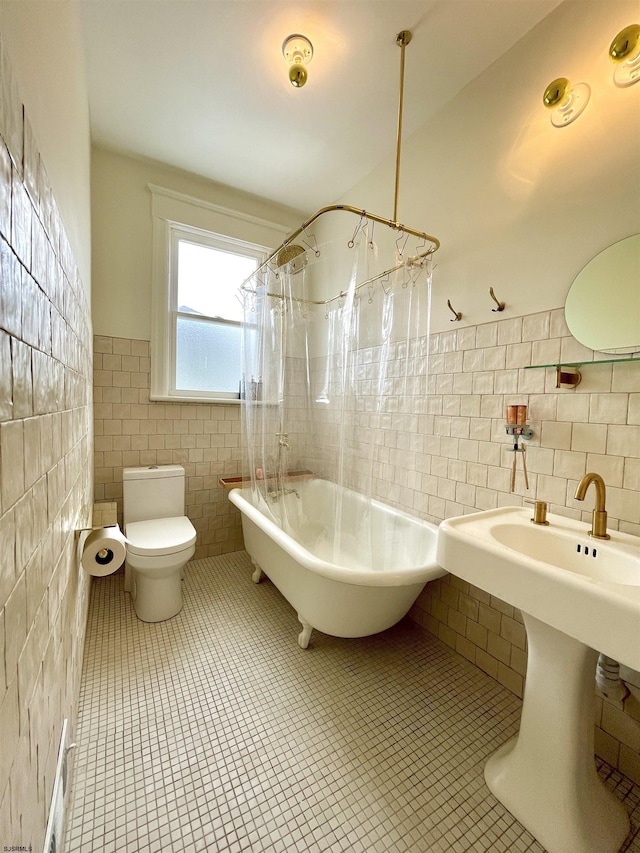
x=153, y=492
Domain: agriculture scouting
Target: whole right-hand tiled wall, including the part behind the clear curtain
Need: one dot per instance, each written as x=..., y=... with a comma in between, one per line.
x=439, y=449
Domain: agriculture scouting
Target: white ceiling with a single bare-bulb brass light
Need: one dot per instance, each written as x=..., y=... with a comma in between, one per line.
x=202, y=84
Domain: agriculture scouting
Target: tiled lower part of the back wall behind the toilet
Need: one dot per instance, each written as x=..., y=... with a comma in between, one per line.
x=131, y=430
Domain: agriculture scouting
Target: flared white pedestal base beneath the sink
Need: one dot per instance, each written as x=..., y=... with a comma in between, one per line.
x=546, y=775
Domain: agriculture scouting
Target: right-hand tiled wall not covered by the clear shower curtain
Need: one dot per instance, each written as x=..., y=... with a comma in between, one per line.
x=590, y=428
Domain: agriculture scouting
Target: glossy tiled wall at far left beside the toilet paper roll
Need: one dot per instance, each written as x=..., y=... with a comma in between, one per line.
x=45, y=477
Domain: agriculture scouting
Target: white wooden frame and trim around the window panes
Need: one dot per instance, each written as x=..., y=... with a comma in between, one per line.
x=176, y=216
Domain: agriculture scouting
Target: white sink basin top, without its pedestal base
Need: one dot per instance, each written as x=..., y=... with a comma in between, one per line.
x=584, y=587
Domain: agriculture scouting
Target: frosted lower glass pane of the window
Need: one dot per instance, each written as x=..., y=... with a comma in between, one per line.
x=207, y=355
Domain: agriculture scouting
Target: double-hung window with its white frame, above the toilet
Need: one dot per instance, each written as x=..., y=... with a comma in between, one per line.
x=197, y=315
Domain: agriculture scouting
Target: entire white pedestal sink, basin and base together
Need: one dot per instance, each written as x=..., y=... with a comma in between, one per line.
x=579, y=596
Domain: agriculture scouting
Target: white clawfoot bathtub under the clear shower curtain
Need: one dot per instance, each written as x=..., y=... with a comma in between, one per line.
x=358, y=581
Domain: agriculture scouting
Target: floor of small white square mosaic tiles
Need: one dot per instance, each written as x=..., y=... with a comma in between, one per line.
x=214, y=731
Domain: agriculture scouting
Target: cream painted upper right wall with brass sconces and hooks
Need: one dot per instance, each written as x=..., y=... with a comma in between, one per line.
x=519, y=204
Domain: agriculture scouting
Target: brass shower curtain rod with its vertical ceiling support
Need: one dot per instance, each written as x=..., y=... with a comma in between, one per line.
x=402, y=40
